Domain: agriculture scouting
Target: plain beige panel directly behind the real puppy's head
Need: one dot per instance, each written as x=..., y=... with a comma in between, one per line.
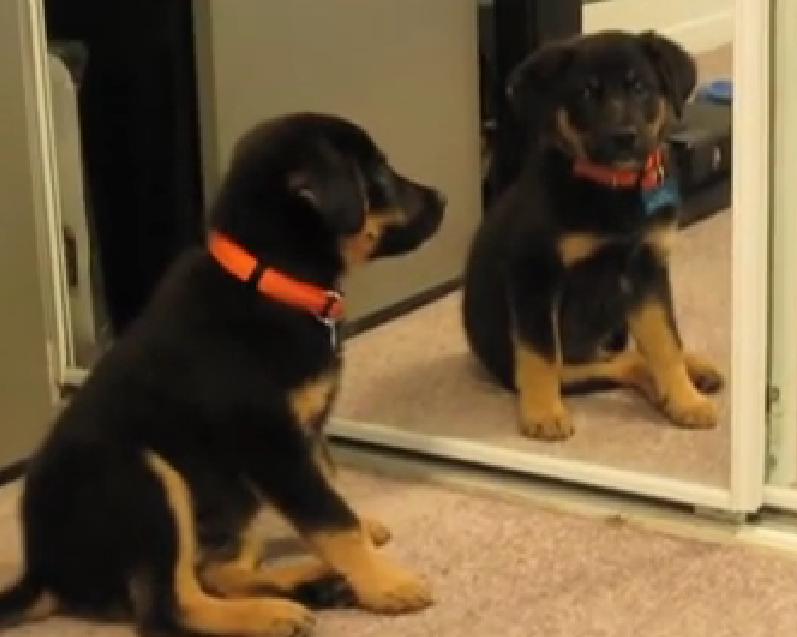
x=405, y=69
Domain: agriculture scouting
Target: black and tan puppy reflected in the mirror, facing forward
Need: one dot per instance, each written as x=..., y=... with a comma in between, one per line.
x=575, y=254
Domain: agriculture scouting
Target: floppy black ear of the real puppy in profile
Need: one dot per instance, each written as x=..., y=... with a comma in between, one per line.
x=333, y=186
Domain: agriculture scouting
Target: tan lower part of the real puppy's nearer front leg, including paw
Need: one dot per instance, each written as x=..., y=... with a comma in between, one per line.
x=379, y=584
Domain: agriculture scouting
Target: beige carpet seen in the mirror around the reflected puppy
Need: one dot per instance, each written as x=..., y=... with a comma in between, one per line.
x=415, y=372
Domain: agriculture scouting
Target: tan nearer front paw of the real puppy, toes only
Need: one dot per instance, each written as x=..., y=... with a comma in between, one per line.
x=392, y=590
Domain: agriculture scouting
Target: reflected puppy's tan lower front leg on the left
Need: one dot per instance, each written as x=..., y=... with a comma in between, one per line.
x=542, y=412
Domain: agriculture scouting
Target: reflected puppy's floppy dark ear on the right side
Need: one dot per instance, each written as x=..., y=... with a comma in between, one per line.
x=674, y=66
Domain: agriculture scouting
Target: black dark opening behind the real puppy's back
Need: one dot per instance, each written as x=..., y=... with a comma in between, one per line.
x=139, y=130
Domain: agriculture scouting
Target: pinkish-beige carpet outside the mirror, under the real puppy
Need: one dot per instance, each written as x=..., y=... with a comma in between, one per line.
x=503, y=569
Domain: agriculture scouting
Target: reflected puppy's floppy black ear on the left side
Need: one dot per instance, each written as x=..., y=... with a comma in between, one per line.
x=533, y=78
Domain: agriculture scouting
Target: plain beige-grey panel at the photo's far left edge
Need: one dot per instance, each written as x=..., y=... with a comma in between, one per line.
x=25, y=392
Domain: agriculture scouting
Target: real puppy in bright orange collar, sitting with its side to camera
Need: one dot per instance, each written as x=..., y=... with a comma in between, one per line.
x=145, y=497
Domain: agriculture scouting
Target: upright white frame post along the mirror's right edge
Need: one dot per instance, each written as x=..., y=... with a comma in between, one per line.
x=750, y=269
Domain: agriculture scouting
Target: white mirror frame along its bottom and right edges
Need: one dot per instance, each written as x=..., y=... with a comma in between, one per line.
x=749, y=321
